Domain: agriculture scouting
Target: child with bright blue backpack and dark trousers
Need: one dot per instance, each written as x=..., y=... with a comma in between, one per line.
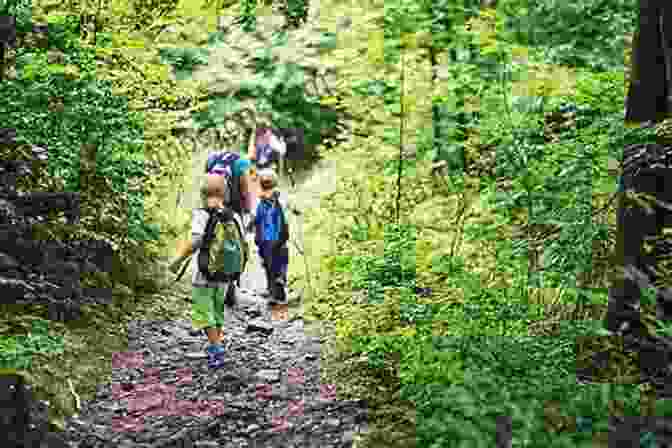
x=272, y=233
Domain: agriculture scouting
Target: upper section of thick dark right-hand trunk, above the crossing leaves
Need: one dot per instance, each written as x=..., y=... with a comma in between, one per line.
x=651, y=76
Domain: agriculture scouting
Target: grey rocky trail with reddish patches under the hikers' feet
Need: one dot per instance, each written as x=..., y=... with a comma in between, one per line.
x=268, y=394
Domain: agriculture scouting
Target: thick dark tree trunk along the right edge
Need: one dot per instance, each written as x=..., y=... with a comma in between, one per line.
x=646, y=168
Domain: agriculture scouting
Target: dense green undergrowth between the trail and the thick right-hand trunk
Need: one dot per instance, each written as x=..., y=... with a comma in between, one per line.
x=481, y=302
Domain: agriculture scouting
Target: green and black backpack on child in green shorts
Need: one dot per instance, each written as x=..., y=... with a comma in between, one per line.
x=223, y=255
